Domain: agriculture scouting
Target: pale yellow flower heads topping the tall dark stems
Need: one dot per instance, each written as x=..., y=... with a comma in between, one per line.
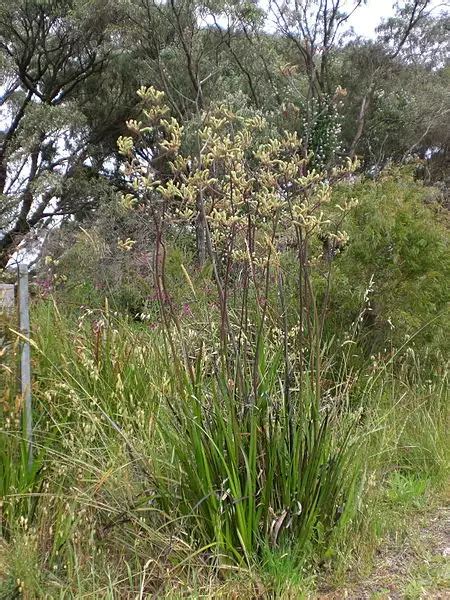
x=247, y=189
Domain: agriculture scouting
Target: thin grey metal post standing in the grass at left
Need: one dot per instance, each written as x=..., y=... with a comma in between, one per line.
x=25, y=358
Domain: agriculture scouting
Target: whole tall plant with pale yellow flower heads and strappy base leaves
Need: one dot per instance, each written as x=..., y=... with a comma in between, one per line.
x=255, y=458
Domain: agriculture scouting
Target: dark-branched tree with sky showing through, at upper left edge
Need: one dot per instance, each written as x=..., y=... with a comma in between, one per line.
x=56, y=130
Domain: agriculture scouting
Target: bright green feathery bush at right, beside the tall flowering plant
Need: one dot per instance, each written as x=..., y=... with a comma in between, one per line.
x=399, y=243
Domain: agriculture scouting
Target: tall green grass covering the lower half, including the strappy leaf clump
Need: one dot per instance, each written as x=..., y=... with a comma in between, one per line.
x=153, y=477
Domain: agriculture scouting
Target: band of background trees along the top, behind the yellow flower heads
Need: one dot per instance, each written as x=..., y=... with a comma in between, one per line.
x=58, y=58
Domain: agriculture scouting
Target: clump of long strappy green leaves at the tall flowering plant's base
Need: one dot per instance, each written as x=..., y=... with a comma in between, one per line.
x=270, y=474
